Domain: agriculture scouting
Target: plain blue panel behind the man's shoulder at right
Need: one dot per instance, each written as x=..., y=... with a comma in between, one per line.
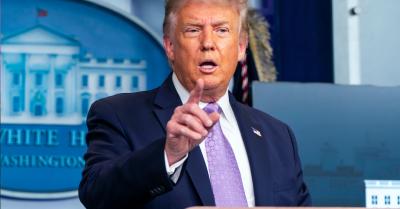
x=346, y=134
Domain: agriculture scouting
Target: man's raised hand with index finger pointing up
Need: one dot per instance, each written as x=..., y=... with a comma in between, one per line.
x=188, y=126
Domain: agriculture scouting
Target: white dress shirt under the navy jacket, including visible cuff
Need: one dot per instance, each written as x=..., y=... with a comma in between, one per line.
x=231, y=131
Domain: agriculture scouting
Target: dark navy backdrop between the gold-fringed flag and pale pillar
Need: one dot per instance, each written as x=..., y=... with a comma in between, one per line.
x=302, y=39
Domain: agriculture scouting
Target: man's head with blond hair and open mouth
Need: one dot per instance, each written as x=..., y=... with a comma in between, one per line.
x=205, y=44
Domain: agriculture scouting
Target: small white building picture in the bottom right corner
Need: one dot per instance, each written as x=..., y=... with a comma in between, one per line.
x=382, y=194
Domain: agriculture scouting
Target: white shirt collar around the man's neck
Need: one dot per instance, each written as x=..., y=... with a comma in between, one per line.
x=223, y=102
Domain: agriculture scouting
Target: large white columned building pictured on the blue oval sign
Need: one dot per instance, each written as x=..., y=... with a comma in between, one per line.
x=45, y=80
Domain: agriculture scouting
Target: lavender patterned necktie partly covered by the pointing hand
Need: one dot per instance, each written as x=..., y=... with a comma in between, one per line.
x=224, y=172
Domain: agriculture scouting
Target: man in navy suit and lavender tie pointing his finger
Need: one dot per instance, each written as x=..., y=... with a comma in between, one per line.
x=189, y=142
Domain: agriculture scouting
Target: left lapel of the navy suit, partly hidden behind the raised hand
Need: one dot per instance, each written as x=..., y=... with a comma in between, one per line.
x=166, y=100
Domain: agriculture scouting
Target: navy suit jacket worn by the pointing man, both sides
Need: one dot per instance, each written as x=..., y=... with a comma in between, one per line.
x=125, y=165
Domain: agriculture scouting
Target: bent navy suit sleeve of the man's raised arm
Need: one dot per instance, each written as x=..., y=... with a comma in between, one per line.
x=116, y=175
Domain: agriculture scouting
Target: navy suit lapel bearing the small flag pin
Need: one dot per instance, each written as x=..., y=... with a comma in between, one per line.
x=257, y=152
